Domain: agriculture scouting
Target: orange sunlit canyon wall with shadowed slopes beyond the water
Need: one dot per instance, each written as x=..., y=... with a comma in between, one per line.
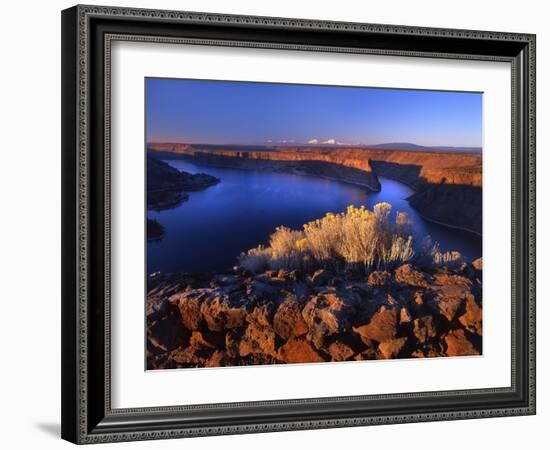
x=447, y=185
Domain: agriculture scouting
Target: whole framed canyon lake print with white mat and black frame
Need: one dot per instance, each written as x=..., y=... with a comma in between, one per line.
x=281, y=224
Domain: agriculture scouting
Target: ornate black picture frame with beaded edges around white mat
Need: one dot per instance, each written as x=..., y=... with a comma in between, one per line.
x=87, y=34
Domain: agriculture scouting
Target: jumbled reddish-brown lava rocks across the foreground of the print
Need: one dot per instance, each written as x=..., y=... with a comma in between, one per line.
x=286, y=317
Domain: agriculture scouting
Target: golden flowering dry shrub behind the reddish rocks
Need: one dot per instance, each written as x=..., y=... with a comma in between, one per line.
x=358, y=239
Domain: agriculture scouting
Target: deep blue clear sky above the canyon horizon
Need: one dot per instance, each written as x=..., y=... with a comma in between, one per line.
x=224, y=112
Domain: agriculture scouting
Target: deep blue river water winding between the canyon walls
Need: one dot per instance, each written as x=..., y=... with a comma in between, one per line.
x=209, y=231
